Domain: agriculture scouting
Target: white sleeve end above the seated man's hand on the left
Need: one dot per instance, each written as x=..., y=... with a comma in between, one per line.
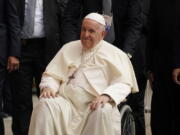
x=49, y=82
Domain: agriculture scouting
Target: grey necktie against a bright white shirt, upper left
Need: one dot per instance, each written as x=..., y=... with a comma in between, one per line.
x=28, y=27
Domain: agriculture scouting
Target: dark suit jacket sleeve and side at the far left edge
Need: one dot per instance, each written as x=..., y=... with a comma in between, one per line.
x=9, y=31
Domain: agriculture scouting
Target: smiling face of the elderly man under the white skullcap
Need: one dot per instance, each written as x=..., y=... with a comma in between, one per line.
x=91, y=33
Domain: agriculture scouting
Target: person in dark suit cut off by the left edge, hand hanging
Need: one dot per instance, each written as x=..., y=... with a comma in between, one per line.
x=9, y=46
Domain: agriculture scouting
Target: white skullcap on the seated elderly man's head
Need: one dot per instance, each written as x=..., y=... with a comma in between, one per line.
x=96, y=17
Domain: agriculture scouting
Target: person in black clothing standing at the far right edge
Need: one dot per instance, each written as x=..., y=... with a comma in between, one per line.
x=163, y=58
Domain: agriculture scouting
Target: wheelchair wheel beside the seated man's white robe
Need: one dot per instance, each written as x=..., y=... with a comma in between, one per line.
x=127, y=121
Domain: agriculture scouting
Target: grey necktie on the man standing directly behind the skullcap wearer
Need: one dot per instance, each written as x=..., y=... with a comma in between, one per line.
x=107, y=10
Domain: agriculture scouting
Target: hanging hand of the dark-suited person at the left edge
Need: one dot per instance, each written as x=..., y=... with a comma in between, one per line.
x=13, y=63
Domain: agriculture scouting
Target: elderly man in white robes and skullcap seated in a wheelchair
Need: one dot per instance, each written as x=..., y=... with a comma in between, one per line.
x=82, y=86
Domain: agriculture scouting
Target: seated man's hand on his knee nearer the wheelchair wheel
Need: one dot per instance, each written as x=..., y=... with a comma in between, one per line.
x=101, y=100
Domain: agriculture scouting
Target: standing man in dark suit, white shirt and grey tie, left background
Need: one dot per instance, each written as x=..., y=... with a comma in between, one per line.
x=40, y=22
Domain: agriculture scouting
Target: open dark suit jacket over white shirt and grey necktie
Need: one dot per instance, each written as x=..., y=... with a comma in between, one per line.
x=52, y=22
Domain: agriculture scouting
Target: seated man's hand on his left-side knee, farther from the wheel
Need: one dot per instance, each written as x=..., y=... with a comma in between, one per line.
x=48, y=93
